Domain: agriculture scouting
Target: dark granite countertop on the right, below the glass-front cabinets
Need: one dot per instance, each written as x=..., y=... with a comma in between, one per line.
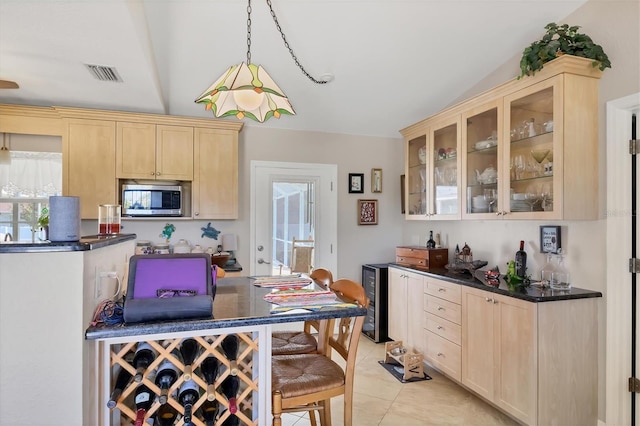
x=531, y=293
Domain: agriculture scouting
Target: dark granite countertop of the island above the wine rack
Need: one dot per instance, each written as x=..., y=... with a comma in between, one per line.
x=237, y=303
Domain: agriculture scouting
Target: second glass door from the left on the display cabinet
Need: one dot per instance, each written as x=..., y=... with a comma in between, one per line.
x=444, y=173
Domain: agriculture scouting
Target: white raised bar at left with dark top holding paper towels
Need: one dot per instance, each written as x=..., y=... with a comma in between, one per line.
x=48, y=293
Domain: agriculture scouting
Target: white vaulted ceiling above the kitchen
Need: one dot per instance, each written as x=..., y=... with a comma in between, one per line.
x=394, y=61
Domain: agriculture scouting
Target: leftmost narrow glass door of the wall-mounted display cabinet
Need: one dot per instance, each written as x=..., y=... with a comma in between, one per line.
x=416, y=178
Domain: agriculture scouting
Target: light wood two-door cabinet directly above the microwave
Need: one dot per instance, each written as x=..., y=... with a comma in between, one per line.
x=150, y=151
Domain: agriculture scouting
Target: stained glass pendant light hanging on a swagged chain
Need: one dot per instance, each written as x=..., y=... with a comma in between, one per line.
x=247, y=90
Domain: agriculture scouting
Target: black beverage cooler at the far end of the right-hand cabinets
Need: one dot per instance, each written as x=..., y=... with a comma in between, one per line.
x=376, y=287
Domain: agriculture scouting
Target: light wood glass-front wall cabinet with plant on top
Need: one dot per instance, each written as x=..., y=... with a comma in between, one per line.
x=528, y=150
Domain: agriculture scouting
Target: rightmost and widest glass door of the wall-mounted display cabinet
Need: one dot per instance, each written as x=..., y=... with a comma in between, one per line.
x=533, y=149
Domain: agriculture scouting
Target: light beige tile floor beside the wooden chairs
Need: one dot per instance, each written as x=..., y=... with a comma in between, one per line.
x=380, y=399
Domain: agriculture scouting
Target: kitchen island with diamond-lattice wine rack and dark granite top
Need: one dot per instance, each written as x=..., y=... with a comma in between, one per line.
x=240, y=310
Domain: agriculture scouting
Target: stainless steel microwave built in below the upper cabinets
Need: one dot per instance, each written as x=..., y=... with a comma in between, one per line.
x=151, y=200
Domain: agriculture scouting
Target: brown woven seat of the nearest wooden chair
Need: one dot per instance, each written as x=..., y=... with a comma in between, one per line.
x=295, y=375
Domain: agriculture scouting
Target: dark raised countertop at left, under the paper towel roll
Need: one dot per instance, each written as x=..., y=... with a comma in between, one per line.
x=90, y=242
